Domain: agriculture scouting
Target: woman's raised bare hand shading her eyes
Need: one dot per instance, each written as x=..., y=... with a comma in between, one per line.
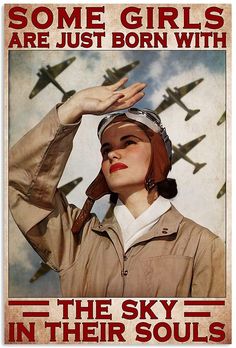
x=100, y=100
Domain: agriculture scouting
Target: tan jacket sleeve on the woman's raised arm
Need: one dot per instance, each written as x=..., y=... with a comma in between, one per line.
x=42, y=213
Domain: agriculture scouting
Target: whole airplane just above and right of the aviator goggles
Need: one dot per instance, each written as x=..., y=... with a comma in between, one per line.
x=174, y=96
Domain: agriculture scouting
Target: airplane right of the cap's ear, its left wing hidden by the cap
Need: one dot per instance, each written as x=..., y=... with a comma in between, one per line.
x=180, y=151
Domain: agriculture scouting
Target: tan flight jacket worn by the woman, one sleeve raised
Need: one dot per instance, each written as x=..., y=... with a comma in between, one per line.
x=176, y=258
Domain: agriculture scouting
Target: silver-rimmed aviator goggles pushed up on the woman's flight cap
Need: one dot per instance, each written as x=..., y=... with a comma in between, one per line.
x=145, y=116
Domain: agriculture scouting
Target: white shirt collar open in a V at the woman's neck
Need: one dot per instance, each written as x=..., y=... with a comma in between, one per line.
x=132, y=228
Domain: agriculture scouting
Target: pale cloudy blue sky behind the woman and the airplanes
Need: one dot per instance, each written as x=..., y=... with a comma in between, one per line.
x=196, y=197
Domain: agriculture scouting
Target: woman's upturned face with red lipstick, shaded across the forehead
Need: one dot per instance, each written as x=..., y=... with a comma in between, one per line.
x=126, y=152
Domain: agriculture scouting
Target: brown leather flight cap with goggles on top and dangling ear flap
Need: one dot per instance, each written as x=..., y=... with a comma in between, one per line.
x=160, y=163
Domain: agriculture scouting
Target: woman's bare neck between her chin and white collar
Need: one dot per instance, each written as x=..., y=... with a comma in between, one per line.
x=140, y=200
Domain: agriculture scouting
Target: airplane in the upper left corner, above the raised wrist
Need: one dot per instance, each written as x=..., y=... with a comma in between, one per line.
x=48, y=74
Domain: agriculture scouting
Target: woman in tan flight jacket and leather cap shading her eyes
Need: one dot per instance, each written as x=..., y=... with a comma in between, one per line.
x=145, y=247
